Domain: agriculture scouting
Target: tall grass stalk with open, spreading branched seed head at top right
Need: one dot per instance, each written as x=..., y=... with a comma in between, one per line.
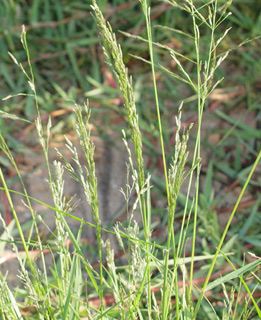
x=203, y=86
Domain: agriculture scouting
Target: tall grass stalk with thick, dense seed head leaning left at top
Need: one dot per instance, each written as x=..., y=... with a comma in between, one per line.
x=113, y=54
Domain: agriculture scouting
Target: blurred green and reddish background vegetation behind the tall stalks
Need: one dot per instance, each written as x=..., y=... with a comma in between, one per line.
x=68, y=65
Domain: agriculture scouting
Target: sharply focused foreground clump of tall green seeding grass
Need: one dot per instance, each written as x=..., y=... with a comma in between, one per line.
x=144, y=288
